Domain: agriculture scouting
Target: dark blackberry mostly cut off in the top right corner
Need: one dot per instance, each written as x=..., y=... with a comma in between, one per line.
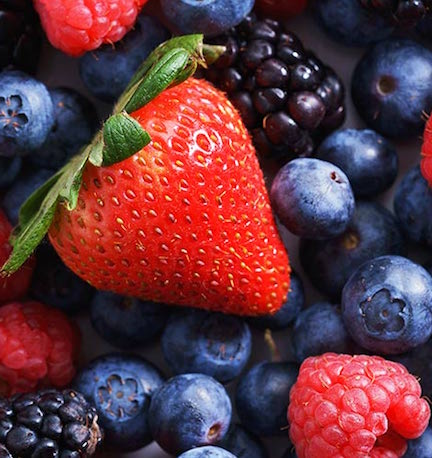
x=406, y=13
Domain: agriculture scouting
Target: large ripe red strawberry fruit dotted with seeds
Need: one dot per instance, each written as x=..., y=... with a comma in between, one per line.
x=185, y=220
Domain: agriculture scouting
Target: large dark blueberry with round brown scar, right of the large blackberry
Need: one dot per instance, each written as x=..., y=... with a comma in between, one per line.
x=392, y=87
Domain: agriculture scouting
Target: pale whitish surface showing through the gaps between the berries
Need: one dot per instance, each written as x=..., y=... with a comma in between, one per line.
x=57, y=69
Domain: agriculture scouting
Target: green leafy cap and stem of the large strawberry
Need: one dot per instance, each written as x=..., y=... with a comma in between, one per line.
x=120, y=137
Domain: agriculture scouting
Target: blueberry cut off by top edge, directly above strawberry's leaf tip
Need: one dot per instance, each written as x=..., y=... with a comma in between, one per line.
x=211, y=17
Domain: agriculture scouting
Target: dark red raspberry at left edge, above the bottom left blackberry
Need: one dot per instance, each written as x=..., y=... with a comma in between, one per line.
x=38, y=347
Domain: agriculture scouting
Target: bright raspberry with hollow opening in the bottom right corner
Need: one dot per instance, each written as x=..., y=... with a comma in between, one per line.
x=359, y=406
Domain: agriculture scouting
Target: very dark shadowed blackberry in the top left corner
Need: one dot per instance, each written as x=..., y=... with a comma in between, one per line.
x=20, y=35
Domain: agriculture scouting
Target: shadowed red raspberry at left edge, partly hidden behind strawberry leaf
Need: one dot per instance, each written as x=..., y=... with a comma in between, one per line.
x=15, y=286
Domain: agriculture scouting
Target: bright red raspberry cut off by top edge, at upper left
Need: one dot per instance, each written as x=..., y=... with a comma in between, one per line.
x=78, y=26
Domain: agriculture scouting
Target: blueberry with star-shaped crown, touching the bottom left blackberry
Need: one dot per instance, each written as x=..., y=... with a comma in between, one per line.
x=120, y=387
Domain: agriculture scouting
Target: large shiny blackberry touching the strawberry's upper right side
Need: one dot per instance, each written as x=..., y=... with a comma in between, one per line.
x=287, y=97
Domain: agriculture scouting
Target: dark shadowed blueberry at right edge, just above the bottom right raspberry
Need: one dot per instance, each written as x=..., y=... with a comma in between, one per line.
x=419, y=363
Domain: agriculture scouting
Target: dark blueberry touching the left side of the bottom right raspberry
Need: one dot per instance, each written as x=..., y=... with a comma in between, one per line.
x=262, y=397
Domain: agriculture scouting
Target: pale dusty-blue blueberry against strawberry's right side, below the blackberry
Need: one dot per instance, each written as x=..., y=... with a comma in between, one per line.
x=312, y=198
